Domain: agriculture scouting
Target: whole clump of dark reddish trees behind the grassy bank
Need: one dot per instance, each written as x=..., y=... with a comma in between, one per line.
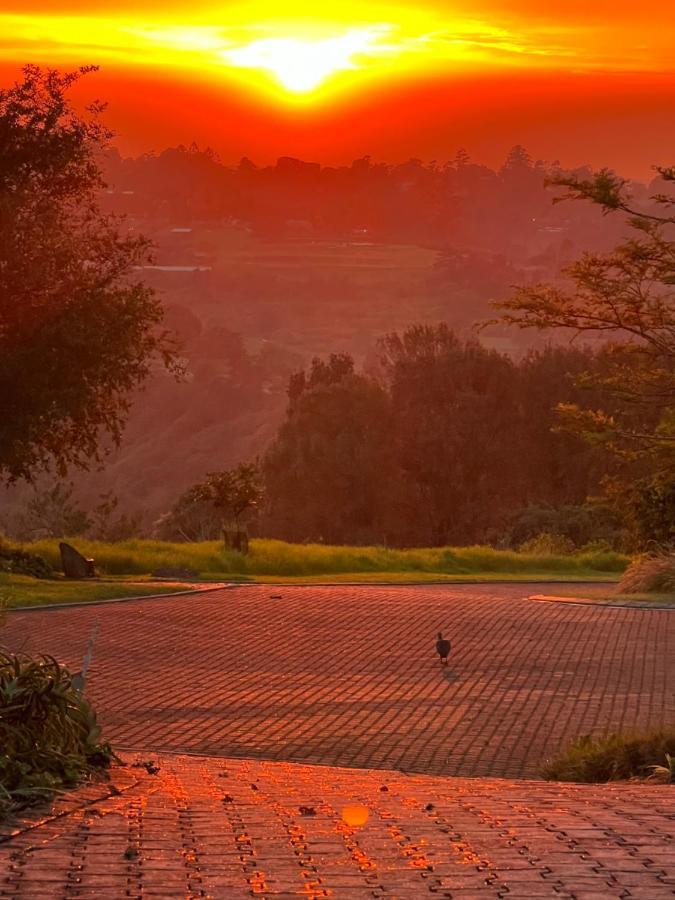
x=448, y=443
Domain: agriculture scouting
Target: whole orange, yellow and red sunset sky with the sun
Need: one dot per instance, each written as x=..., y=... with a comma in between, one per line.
x=580, y=81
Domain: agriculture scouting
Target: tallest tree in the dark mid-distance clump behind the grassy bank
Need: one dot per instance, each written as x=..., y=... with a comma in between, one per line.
x=455, y=411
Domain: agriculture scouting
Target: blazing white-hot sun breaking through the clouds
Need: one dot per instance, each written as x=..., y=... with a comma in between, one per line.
x=301, y=65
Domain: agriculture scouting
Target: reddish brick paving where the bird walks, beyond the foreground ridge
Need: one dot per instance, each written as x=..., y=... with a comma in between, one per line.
x=348, y=676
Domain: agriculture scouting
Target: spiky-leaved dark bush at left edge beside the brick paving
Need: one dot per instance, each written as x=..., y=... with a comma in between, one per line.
x=49, y=738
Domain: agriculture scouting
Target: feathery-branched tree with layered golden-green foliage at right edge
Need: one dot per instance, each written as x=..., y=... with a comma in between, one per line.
x=626, y=297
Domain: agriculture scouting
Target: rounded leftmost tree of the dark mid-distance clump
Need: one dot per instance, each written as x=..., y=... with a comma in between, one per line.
x=328, y=475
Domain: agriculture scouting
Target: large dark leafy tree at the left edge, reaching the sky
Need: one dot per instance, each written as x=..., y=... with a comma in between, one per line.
x=78, y=330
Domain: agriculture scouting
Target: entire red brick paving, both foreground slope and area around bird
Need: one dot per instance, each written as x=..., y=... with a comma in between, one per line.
x=347, y=677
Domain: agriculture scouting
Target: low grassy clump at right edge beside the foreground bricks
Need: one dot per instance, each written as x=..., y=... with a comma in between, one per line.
x=615, y=757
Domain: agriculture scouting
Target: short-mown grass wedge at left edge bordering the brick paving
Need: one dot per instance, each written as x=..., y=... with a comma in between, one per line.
x=23, y=590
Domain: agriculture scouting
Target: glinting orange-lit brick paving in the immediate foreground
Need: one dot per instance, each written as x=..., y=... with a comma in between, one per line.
x=214, y=828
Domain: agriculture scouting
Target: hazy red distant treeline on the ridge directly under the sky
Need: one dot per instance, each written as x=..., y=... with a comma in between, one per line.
x=457, y=201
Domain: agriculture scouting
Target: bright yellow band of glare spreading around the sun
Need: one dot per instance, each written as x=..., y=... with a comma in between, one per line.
x=308, y=57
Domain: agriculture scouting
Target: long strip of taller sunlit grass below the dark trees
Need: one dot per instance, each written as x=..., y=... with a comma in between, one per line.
x=275, y=559
